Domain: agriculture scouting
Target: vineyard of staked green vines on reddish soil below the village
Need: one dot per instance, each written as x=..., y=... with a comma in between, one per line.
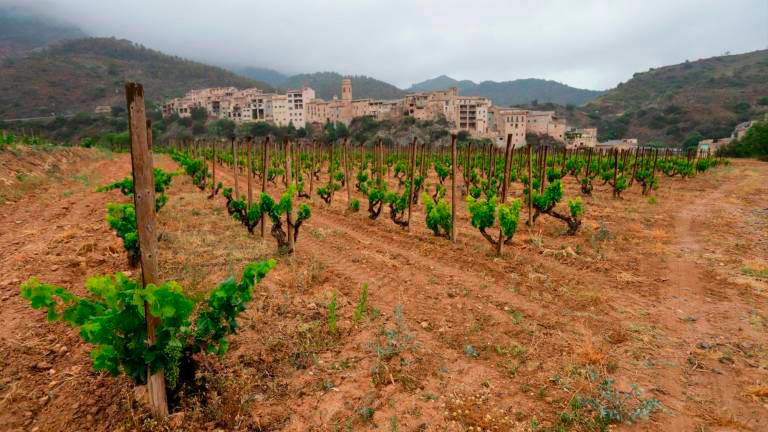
x=277, y=283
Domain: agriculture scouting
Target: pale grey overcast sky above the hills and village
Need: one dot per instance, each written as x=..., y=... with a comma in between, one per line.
x=585, y=43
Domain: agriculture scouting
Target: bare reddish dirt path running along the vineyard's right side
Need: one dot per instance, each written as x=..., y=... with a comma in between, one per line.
x=704, y=317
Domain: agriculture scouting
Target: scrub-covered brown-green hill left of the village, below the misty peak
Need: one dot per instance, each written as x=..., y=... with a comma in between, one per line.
x=76, y=76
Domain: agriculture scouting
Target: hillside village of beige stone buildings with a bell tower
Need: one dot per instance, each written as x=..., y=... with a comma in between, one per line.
x=473, y=114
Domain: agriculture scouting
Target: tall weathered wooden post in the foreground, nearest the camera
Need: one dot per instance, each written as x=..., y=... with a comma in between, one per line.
x=144, y=203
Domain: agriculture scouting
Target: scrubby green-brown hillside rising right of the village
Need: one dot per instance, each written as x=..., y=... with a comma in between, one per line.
x=708, y=96
